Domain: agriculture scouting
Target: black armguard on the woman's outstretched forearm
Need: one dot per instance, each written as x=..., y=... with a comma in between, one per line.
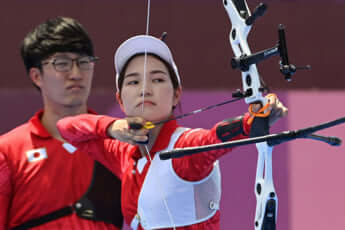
x=230, y=128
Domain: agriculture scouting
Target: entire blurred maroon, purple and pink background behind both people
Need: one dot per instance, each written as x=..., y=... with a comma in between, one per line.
x=309, y=176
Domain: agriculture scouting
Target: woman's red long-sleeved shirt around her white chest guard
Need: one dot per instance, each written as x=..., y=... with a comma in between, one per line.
x=88, y=132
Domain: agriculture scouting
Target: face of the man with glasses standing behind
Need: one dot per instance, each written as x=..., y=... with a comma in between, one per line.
x=69, y=88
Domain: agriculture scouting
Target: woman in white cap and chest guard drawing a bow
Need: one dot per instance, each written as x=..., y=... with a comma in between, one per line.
x=180, y=193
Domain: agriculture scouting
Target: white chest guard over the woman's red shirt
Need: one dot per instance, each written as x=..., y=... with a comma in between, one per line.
x=187, y=202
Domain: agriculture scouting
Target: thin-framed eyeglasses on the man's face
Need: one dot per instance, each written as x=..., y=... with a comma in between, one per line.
x=65, y=64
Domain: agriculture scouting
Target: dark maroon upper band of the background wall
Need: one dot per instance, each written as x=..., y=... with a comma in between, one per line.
x=198, y=34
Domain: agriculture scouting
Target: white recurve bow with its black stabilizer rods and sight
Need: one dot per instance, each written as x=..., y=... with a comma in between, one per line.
x=253, y=89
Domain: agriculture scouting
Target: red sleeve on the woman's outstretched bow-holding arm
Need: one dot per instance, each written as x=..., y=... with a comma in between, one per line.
x=197, y=166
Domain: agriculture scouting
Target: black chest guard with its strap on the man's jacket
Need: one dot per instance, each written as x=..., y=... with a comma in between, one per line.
x=102, y=202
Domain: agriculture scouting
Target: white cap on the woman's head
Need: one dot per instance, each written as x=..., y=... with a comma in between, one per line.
x=142, y=44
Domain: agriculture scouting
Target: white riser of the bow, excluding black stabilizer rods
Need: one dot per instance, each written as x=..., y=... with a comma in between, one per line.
x=242, y=20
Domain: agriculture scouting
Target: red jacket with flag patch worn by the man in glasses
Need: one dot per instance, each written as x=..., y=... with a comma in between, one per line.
x=40, y=174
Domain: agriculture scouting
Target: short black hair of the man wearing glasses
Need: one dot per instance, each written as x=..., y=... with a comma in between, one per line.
x=60, y=34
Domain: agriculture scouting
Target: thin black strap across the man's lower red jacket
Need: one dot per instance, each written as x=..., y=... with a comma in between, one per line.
x=46, y=218
